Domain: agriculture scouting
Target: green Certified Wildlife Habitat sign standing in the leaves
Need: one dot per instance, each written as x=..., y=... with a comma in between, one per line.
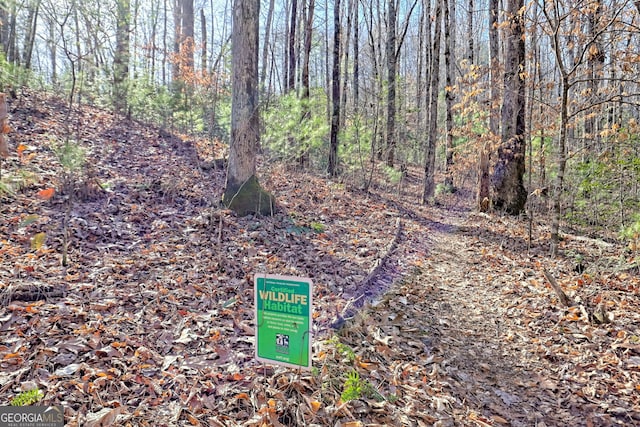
x=283, y=320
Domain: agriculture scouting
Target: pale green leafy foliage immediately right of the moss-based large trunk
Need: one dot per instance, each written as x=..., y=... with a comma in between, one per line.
x=287, y=135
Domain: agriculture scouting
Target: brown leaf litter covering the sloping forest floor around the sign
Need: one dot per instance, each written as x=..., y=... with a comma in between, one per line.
x=424, y=315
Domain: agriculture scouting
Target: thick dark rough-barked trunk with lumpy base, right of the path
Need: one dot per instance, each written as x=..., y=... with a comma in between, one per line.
x=507, y=181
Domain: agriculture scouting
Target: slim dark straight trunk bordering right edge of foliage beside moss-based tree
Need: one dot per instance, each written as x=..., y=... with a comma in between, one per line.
x=335, y=93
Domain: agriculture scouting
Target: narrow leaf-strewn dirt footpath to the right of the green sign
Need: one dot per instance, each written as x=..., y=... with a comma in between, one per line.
x=476, y=338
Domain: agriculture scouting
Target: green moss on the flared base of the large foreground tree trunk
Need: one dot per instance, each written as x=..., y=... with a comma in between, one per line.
x=249, y=198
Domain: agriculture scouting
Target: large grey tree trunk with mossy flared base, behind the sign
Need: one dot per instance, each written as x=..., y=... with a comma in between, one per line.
x=243, y=193
